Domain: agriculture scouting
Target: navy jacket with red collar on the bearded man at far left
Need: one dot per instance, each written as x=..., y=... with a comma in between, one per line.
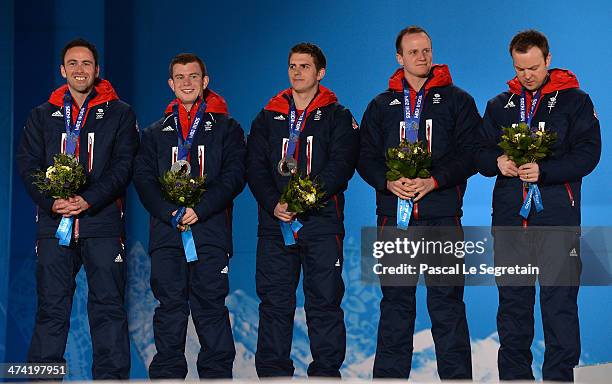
x=106, y=148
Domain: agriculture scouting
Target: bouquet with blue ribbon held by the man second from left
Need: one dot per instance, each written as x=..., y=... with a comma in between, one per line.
x=178, y=187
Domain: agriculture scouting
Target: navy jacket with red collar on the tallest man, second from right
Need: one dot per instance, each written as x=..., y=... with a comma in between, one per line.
x=448, y=124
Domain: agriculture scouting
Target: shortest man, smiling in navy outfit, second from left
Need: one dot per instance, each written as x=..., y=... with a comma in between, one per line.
x=216, y=151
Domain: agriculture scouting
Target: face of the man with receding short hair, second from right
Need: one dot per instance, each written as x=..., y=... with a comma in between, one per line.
x=416, y=57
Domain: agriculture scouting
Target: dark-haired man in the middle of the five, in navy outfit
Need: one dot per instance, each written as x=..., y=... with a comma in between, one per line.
x=326, y=148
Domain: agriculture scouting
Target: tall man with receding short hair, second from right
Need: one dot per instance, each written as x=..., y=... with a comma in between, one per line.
x=421, y=104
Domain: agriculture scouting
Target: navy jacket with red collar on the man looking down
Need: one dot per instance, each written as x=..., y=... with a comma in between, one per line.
x=564, y=109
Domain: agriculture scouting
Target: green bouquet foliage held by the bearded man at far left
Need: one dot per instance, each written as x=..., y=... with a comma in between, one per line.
x=61, y=180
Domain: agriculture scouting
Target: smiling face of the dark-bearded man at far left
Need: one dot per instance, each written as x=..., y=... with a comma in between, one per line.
x=79, y=69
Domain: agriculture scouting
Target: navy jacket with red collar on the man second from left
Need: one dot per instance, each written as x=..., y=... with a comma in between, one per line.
x=218, y=151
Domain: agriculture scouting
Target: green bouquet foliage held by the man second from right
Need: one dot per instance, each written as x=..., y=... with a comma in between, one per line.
x=410, y=160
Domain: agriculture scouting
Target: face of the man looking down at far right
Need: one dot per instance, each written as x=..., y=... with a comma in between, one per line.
x=531, y=67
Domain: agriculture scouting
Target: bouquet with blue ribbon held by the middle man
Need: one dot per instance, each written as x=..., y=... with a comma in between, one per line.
x=301, y=194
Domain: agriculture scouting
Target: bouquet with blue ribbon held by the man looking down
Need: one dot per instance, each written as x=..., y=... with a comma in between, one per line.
x=523, y=145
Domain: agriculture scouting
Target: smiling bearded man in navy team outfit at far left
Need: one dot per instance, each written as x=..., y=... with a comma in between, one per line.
x=86, y=118
